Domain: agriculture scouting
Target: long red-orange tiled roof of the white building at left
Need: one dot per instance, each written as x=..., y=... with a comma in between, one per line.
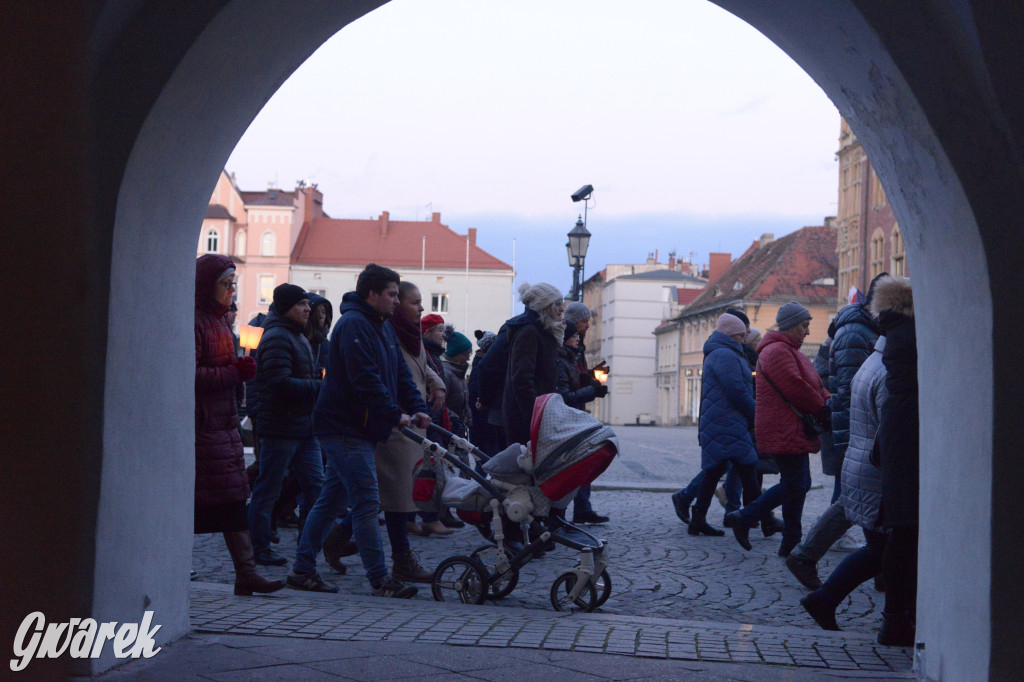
x=348, y=242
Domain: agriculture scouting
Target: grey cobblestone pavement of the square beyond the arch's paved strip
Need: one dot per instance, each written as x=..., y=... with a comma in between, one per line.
x=658, y=571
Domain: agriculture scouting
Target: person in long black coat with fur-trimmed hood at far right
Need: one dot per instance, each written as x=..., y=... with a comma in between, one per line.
x=899, y=452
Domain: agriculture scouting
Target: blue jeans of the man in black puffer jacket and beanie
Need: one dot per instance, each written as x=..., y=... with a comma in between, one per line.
x=277, y=456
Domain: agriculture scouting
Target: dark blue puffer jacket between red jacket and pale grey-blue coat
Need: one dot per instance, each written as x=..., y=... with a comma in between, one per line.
x=857, y=332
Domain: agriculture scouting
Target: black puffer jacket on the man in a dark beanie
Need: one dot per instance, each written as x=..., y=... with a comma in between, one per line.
x=287, y=385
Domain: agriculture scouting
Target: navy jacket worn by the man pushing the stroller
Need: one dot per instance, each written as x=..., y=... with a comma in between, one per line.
x=368, y=386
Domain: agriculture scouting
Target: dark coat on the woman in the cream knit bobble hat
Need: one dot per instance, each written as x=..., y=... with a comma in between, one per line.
x=533, y=371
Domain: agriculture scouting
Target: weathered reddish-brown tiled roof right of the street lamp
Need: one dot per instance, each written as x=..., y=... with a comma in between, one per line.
x=780, y=271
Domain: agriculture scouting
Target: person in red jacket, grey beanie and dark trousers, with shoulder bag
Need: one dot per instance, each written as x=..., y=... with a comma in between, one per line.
x=786, y=382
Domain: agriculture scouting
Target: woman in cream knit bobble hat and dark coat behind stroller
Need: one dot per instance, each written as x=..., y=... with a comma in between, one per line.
x=533, y=368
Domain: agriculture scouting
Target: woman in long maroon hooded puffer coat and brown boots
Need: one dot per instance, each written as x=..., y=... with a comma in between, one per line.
x=222, y=485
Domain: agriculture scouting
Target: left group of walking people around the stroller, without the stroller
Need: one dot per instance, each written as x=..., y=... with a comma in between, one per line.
x=325, y=406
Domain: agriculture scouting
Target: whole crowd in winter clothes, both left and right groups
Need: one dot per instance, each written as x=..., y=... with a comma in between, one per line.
x=325, y=405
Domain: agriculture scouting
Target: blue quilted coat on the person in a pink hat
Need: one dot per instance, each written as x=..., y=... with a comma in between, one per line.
x=727, y=405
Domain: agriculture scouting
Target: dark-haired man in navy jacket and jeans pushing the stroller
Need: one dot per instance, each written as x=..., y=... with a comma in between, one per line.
x=367, y=393
